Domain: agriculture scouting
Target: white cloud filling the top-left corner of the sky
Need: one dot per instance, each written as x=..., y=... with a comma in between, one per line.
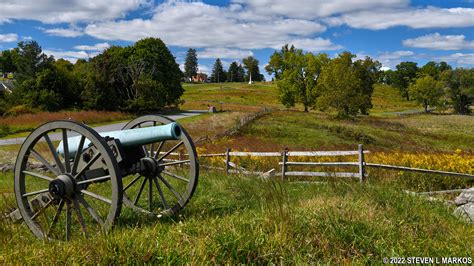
x=58, y=11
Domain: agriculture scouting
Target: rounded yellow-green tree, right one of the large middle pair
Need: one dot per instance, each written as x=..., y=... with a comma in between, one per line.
x=346, y=86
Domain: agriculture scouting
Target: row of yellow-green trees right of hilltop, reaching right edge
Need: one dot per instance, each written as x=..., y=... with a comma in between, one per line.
x=345, y=84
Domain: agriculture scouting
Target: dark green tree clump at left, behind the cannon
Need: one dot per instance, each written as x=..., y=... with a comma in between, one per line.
x=141, y=77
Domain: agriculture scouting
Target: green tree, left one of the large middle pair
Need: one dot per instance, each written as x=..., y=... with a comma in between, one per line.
x=299, y=77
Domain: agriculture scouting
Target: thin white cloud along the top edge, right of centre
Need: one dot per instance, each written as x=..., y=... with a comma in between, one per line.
x=305, y=9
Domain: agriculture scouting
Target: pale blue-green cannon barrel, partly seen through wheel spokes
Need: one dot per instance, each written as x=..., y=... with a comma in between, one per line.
x=130, y=137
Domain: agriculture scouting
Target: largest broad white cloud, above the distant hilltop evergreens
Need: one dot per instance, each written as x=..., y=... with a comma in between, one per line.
x=196, y=24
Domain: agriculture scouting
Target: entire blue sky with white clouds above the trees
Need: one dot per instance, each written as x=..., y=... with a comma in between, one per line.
x=390, y=31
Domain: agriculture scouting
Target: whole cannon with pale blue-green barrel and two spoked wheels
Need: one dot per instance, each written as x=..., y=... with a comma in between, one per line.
x=70, y=181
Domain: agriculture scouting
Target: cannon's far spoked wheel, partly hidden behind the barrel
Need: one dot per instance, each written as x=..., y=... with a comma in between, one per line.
x=168, y=188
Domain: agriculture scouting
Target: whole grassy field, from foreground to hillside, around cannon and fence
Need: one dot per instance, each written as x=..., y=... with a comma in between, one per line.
x=234, y=219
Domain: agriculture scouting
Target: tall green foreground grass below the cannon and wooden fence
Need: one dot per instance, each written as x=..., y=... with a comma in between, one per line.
x=241, y=220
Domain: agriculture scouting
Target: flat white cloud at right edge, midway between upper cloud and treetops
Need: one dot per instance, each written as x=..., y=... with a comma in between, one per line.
x=437, y=41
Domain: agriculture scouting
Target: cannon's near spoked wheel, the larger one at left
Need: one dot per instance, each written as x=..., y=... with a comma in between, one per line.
x=62, y=195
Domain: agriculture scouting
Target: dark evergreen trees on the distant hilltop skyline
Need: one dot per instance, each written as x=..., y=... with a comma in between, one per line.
x=235, y=73
